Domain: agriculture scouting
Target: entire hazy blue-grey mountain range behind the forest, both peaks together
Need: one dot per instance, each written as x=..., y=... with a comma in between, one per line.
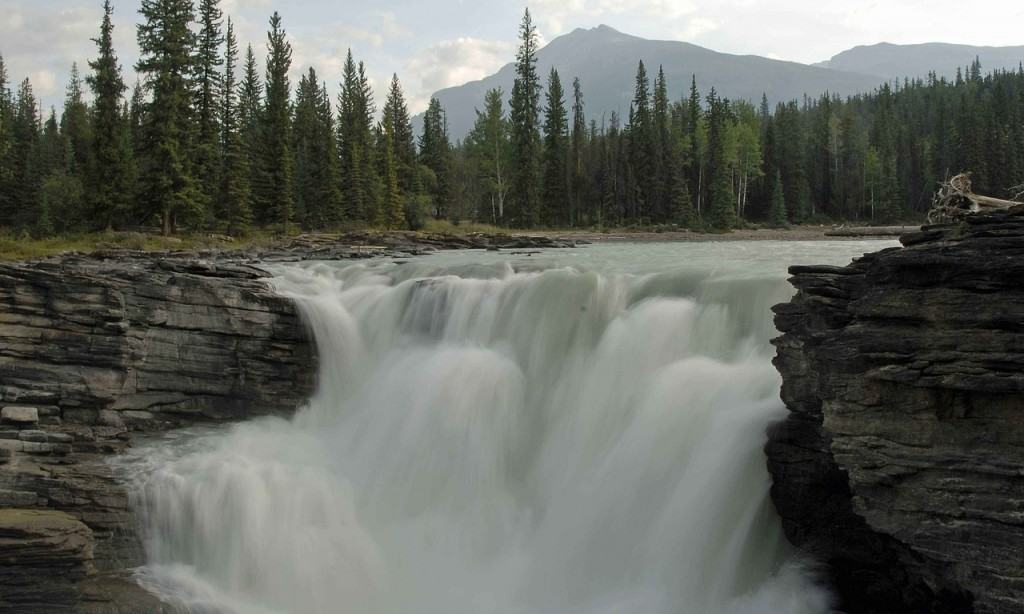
x=606, y=61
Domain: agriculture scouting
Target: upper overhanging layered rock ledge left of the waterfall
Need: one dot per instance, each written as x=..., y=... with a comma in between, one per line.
x=149, y=341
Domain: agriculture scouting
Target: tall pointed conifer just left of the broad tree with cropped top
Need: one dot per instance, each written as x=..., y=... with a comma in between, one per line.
x=109, y=184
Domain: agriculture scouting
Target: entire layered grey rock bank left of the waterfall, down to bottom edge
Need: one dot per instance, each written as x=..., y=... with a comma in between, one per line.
x=93, y=349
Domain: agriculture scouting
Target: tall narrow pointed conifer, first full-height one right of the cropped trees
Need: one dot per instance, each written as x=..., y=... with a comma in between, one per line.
x=274, y=193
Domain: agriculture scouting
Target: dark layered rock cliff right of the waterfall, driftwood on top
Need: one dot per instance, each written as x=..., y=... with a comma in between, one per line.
x=902, y=464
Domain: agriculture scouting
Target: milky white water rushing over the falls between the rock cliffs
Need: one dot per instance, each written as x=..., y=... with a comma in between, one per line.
x=574, y=432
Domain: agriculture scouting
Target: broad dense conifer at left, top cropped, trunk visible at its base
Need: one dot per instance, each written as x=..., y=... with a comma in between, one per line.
x=166, y=45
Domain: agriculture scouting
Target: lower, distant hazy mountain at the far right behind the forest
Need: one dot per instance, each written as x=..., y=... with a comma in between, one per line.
x=897, y=62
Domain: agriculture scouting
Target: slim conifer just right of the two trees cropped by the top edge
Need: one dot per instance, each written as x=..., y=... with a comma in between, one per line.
x=235, y=204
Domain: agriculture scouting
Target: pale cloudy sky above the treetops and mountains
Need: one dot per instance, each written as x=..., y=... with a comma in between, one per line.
x=436, y=45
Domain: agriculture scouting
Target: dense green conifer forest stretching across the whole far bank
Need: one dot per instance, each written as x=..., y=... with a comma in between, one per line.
x=208, y=140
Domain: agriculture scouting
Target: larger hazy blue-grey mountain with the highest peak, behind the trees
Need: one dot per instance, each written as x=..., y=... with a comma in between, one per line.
x=606, y=61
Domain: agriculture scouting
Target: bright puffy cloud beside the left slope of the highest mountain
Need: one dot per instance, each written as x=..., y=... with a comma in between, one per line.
x=453, y=63
